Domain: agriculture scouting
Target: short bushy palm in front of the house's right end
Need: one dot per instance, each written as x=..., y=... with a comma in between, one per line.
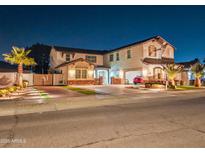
x=172, y=70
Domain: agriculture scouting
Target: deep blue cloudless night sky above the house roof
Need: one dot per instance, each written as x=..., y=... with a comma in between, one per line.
x=104, y=27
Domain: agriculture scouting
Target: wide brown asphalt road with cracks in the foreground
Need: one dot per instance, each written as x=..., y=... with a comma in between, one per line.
x=177, y=121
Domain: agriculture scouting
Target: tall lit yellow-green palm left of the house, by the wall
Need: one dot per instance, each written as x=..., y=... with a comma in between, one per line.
x=20, y=57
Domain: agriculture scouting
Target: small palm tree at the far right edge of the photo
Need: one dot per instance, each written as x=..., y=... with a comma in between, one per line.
x=198, y=71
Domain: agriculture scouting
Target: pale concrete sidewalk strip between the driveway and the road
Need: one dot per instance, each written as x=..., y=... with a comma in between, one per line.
x=62, y=104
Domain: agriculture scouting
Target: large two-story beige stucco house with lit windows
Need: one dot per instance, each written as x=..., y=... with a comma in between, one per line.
x=143, y=58
